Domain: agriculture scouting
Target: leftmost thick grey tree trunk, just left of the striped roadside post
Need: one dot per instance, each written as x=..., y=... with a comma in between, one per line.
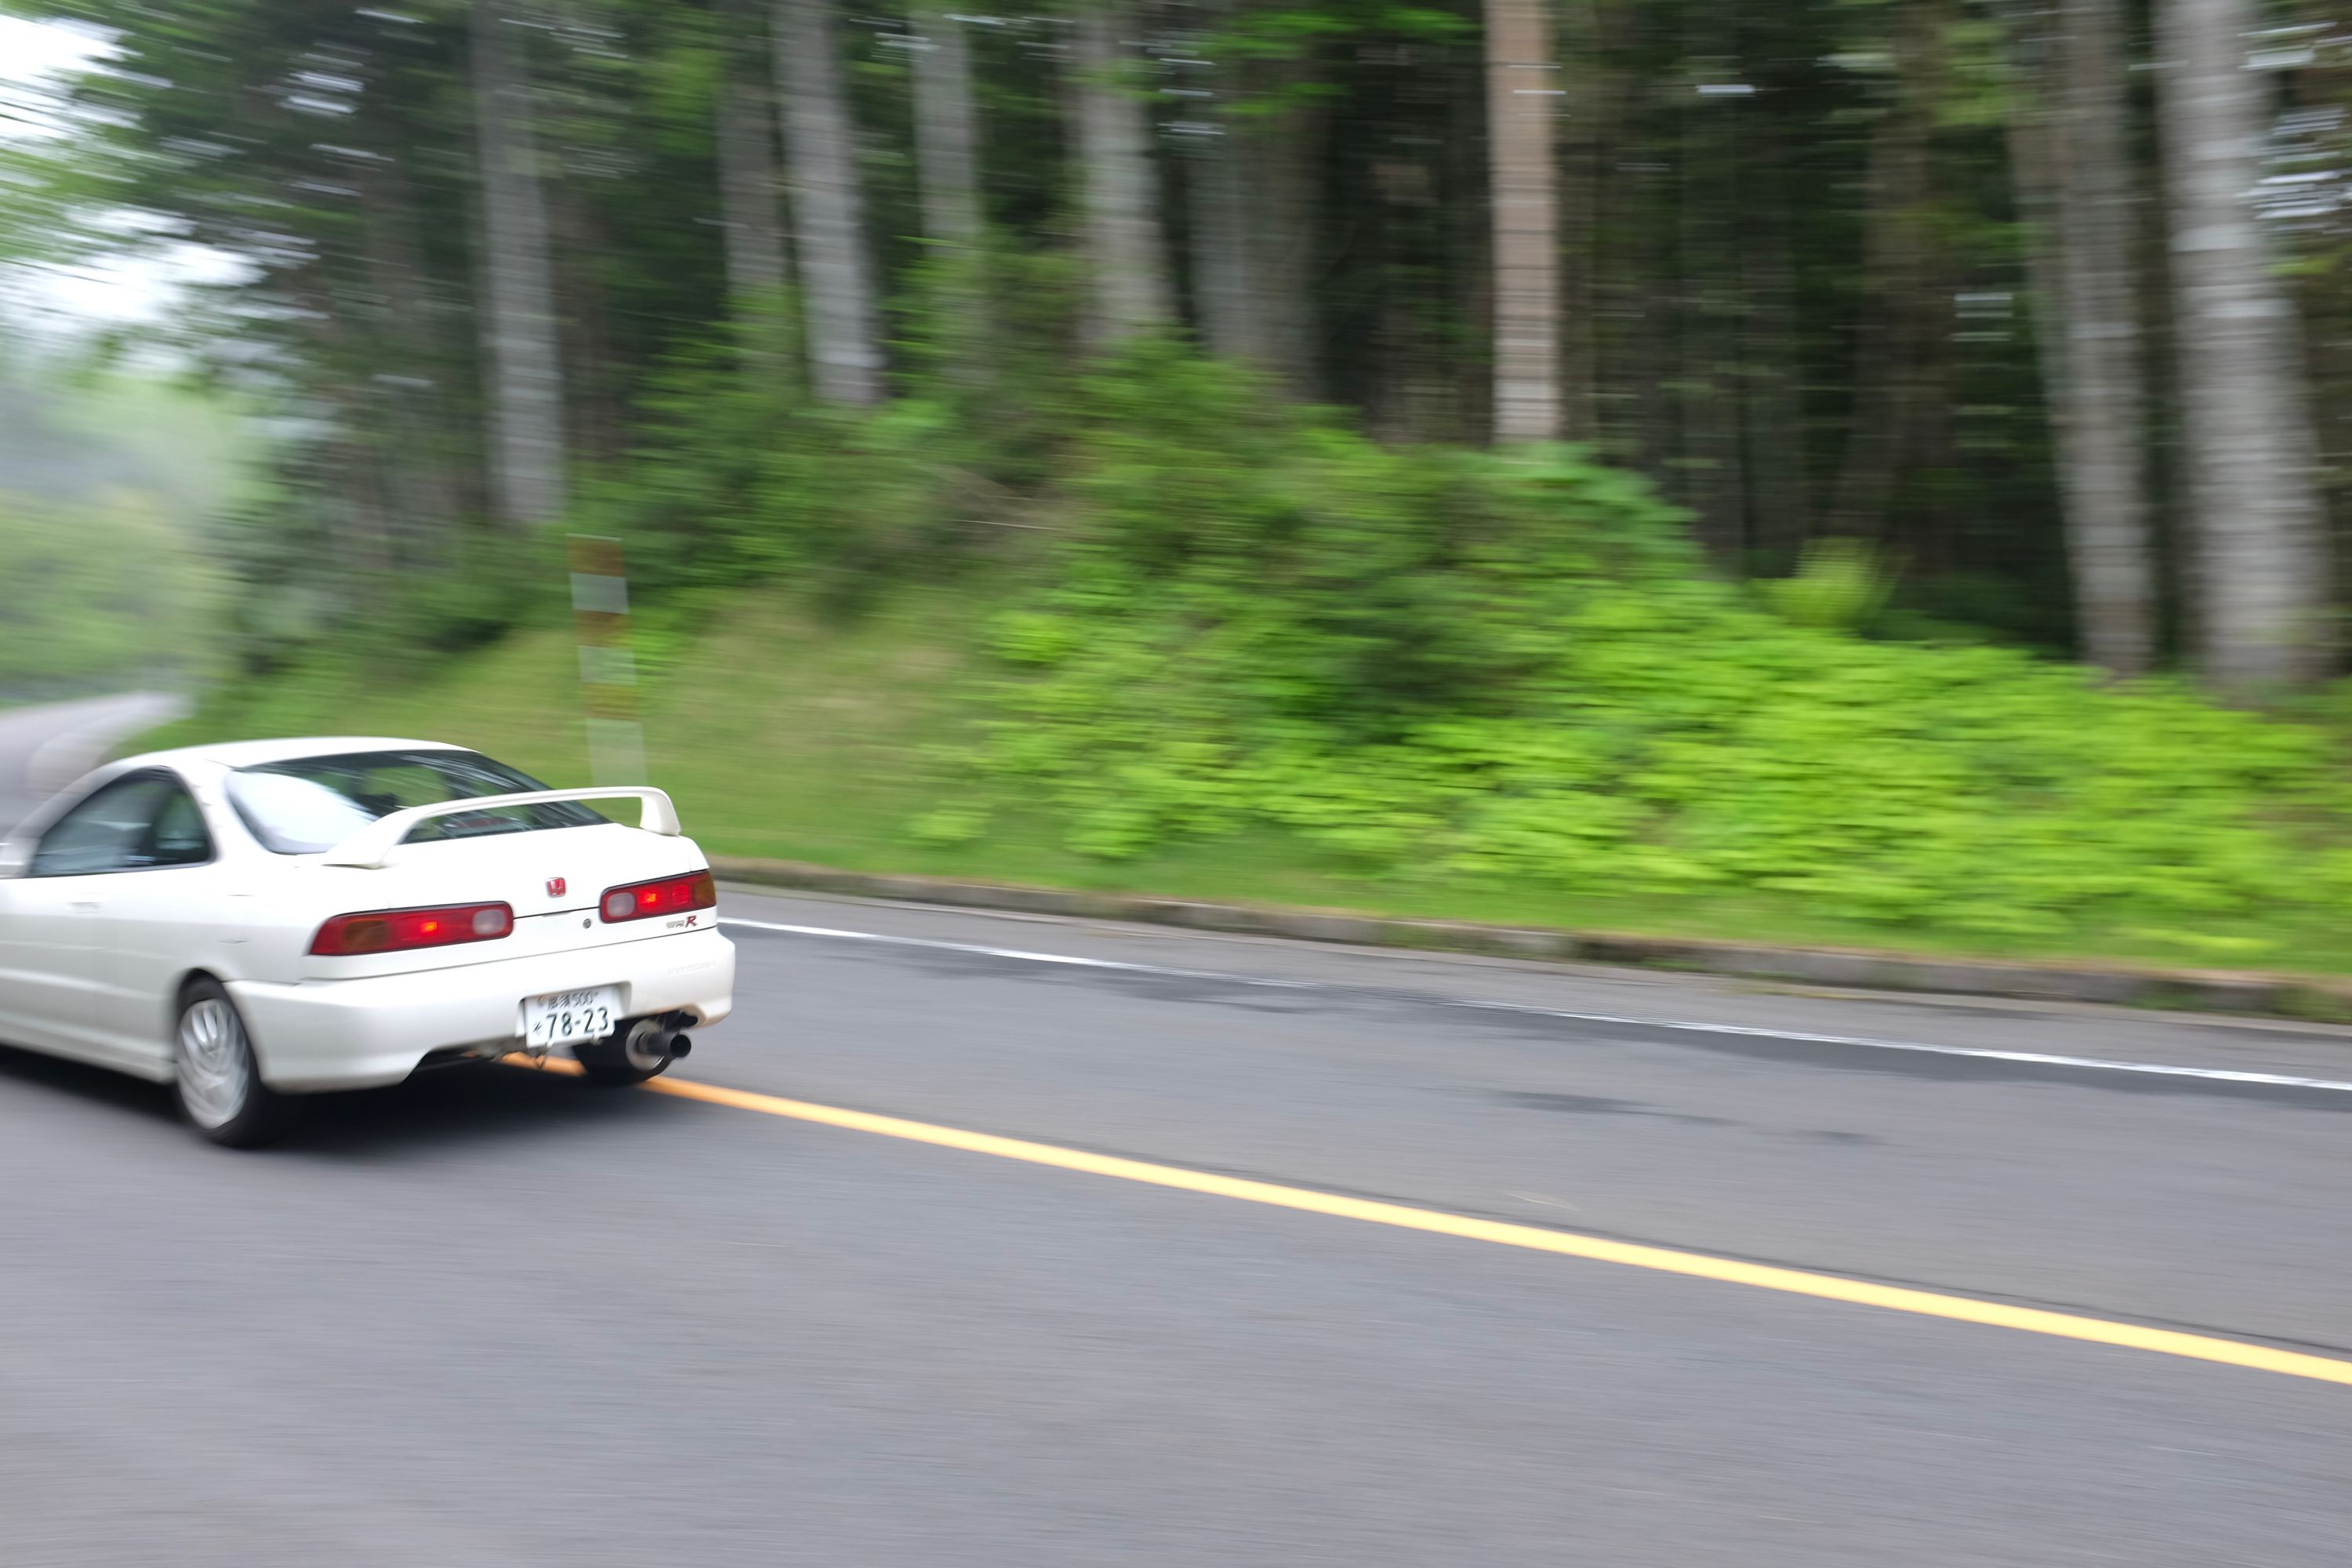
x=519, y=321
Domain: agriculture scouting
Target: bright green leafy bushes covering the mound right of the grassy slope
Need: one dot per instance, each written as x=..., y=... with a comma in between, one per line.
x=1506, y=669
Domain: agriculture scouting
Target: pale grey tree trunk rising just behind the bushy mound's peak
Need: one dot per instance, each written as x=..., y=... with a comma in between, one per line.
x=1121, y=187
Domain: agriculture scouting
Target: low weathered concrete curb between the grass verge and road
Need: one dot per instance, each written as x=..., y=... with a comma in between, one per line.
x=2116, y=986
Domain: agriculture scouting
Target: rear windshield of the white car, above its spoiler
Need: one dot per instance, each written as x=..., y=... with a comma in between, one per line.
x=309, y=805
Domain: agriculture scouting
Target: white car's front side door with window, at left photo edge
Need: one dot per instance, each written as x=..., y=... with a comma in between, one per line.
x=51, y=918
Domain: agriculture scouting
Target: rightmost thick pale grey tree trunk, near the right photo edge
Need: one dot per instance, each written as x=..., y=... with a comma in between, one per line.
x=2254, y=507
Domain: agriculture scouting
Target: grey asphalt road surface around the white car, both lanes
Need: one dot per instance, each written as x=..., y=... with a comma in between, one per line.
x=500, y=1318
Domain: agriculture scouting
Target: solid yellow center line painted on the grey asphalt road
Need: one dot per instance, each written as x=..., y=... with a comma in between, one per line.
x=1532, y=1238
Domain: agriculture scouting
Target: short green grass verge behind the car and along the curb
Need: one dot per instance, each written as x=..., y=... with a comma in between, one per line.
x=799, y=737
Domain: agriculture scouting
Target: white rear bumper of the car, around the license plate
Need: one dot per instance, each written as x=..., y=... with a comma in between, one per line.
x=366, y=1033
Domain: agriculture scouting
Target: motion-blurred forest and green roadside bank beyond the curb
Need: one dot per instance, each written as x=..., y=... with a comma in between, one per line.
x=1836, y=469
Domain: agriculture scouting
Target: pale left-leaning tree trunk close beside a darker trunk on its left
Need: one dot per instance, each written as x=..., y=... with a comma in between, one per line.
x=846, y=356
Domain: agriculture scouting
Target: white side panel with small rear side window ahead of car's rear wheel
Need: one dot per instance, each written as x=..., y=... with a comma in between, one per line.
x=163, y=916
